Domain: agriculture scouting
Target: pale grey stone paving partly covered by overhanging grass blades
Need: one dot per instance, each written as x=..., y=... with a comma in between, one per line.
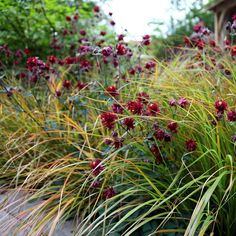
x=12, y=204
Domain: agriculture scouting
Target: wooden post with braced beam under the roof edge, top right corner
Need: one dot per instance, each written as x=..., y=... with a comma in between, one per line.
x=223, y=10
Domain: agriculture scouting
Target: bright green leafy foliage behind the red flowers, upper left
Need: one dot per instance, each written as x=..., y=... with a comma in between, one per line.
x=31, y=24
